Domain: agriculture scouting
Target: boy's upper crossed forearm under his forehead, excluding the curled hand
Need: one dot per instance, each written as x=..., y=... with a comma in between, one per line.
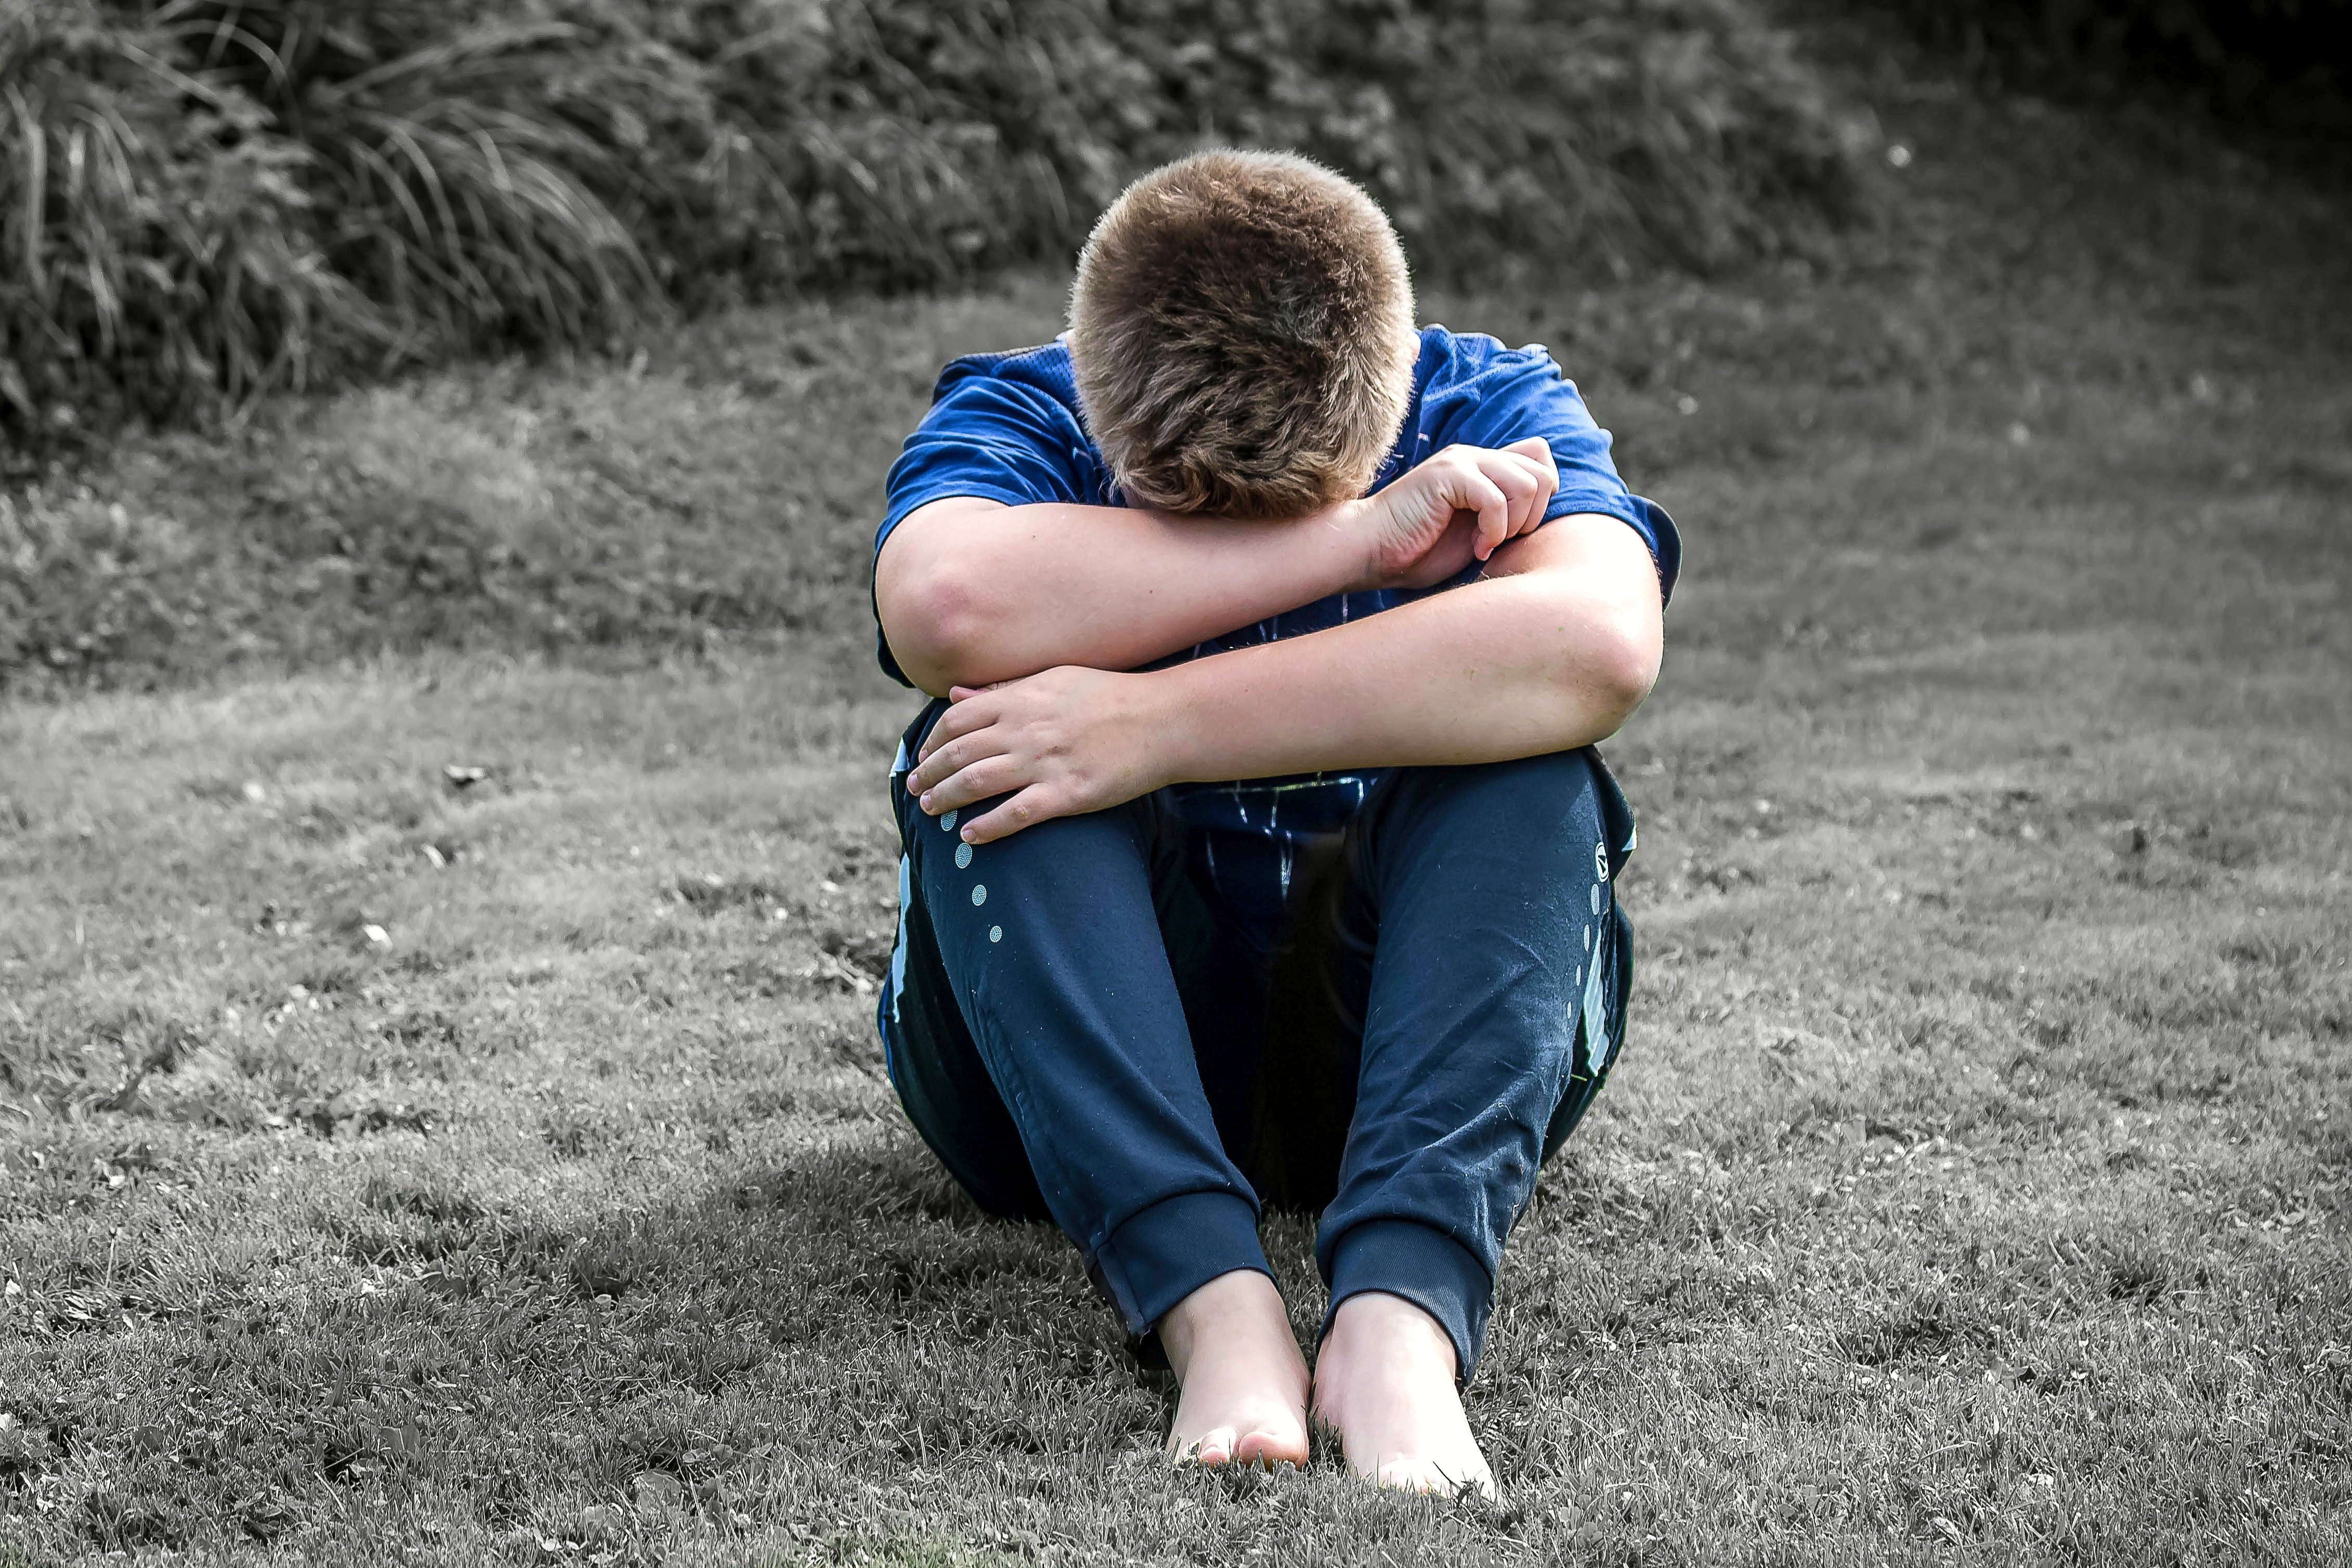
x=977, y=594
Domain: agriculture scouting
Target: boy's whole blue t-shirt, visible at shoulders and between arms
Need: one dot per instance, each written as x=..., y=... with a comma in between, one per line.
x=1008, y=429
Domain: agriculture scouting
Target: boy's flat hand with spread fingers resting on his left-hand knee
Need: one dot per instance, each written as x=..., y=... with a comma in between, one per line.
x=1062, y=742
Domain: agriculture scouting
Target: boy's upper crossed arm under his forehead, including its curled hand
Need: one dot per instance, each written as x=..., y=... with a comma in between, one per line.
x=975, y=591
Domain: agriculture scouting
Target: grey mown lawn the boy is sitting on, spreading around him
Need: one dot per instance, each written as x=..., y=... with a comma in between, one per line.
x=500, y=1167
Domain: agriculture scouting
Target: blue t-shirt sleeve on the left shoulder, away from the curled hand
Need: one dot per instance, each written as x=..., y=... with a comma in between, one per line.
x=991, y=438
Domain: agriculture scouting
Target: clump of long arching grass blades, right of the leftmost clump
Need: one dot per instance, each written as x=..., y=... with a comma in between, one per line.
x=462, y=159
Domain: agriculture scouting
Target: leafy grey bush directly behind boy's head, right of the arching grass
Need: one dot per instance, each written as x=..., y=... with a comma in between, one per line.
x=911, y=142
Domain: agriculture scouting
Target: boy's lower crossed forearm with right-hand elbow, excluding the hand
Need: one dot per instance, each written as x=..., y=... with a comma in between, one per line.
x=1514, y=666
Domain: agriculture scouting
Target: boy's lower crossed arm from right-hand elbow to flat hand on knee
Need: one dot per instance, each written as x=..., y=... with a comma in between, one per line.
x=1551, y=650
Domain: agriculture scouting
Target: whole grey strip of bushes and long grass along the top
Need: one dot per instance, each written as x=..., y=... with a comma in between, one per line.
x=269, y=187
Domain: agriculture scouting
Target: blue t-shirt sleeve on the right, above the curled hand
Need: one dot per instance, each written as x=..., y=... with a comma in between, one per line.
x=1523, y=391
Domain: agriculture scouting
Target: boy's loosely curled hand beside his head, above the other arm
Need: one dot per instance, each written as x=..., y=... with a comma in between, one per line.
x=1455, y=509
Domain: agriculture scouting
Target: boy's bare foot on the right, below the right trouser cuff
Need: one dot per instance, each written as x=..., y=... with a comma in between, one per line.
x=1384, y=1381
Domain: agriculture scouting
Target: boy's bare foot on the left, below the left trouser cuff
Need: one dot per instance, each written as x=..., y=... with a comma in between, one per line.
x=1245, y=1386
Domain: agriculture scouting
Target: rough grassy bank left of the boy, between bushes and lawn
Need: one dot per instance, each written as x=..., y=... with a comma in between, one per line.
x=596, y=516
